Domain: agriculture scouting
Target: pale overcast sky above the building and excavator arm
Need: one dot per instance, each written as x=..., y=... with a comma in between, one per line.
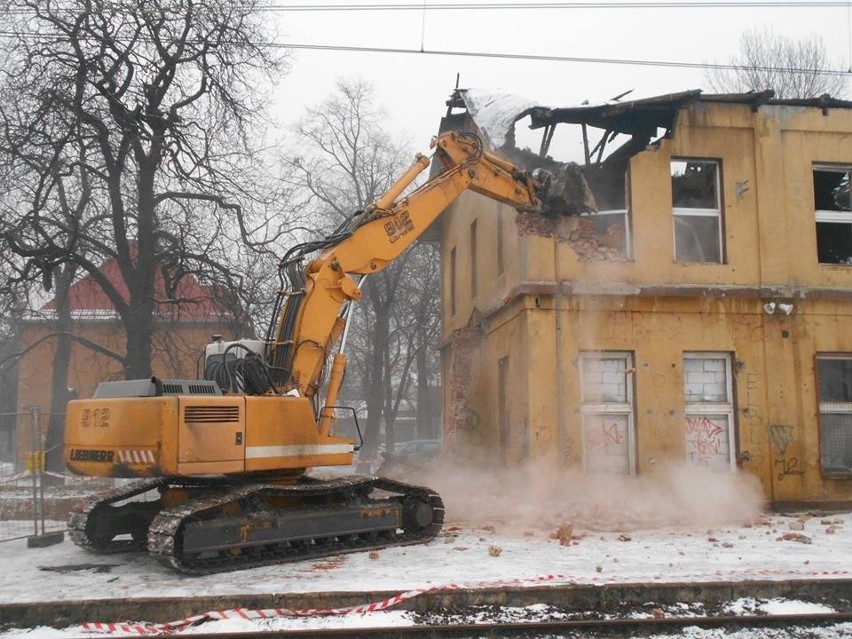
x=413, y=87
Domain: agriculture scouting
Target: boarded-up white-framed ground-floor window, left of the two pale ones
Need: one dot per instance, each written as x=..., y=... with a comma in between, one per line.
x=606, y=388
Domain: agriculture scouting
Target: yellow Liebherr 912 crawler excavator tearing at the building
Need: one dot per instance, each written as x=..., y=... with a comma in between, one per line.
x=222, y=462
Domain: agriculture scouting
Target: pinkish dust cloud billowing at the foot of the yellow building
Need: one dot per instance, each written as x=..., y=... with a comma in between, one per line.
x=539, y=496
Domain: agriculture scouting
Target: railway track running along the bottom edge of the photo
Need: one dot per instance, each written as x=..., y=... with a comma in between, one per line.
x=577, y=628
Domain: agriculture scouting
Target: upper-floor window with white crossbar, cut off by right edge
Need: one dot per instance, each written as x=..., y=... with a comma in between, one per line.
x=833, y=209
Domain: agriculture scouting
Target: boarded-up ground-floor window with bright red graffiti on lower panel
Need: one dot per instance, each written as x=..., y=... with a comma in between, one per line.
x=707, y=390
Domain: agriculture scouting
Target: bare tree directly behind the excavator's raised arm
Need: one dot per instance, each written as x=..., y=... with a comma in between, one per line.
x=348, y=162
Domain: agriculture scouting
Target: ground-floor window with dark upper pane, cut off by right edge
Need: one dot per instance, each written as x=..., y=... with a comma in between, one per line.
x=834, y=375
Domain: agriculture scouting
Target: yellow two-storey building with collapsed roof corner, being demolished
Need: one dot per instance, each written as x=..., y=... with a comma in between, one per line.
x=703, y=316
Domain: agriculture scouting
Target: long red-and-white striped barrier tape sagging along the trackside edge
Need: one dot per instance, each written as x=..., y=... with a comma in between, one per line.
x=271, y=613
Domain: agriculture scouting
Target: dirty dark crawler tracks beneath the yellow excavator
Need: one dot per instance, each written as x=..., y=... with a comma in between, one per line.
x=234, y=525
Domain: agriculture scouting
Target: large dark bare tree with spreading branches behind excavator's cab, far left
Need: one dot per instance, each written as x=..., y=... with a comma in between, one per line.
x=128, y=125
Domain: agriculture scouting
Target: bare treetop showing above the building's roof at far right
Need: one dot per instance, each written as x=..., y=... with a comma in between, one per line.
x=789, y=67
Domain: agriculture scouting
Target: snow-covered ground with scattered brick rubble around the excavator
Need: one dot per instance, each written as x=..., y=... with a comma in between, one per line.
x=580, y=542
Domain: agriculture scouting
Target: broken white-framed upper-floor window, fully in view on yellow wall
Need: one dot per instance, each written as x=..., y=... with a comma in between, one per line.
x=697, y=211
